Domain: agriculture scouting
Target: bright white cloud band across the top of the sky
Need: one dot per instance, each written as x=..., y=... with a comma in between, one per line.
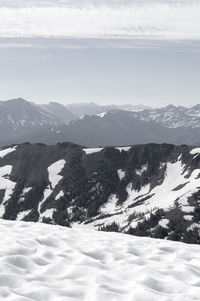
x=133, y=20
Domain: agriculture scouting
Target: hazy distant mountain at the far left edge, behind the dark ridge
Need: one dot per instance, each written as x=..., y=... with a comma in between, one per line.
x=20, y=119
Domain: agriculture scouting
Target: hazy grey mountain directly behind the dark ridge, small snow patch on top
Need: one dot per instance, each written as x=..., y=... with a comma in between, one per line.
x=118, y=127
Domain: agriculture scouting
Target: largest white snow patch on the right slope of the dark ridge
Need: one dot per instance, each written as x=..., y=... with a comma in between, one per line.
x=176, y=186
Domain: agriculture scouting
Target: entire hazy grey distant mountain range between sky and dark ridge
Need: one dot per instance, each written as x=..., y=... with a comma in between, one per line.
x=23, y=121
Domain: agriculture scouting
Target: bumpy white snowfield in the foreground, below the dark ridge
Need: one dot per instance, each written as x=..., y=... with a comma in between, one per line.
x=53, y=263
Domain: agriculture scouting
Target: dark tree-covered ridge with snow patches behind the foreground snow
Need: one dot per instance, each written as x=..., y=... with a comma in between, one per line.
x=149, y=190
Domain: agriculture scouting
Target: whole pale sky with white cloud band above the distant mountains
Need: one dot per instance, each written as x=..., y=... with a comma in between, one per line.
x=106, y=51
